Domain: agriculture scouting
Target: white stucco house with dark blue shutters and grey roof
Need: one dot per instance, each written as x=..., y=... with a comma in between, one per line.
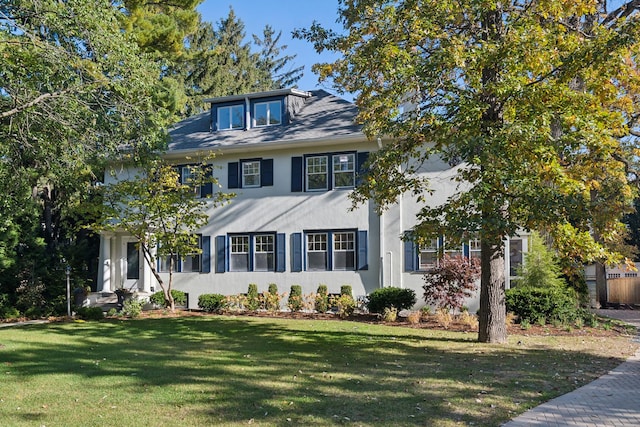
x=292, y=157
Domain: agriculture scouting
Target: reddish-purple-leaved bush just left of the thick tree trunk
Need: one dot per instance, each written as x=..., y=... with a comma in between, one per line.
x=453, y=280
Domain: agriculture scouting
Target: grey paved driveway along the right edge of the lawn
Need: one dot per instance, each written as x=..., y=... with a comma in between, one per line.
x=611, y=400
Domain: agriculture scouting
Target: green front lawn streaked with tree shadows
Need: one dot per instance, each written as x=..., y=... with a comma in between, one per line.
x=225, y=370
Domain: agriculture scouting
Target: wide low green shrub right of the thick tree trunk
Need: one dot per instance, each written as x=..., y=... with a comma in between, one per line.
x=550, y=303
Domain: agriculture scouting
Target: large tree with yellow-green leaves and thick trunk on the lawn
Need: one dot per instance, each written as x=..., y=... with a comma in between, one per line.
x=533, y=101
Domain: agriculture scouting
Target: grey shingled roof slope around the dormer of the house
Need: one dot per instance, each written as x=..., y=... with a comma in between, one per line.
x=323, y=117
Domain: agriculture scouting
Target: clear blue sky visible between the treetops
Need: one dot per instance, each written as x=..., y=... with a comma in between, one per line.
x=285, y=16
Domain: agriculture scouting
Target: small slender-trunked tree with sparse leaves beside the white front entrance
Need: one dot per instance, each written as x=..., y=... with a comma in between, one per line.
x=161, y=212
